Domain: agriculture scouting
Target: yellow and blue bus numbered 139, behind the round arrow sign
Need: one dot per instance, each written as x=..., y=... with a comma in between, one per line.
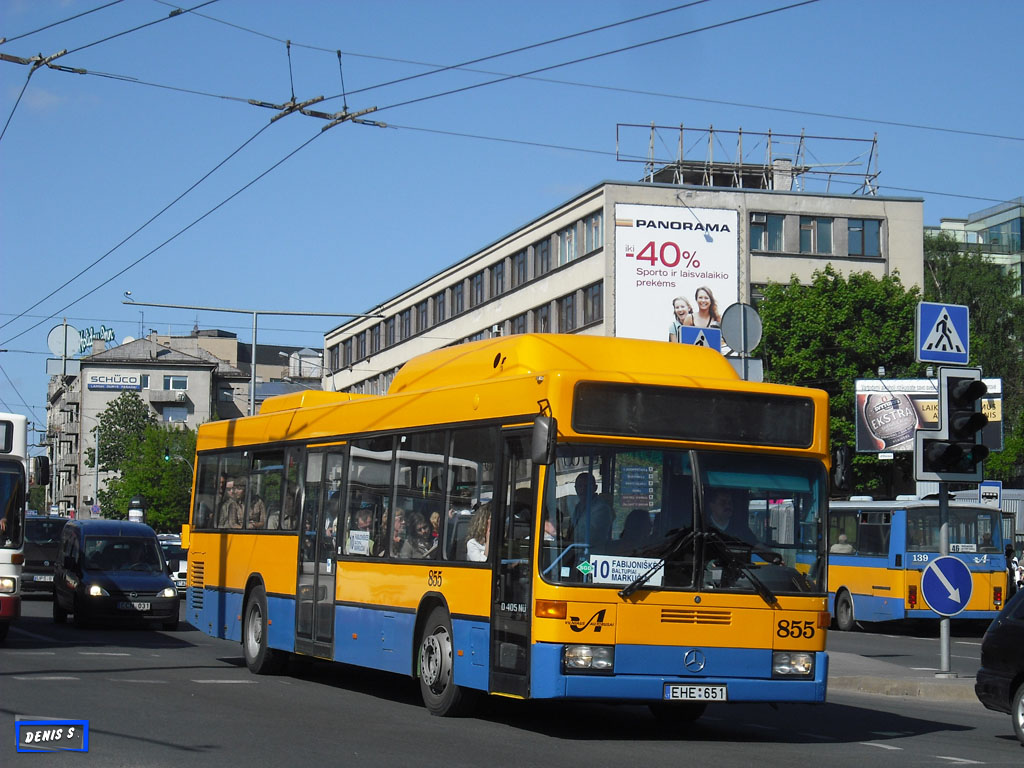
x=879, y=551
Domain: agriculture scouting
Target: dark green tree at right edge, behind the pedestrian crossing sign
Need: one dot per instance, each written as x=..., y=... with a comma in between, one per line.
x=997, y=312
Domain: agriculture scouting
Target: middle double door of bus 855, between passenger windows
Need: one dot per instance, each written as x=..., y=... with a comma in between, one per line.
x=315, y=588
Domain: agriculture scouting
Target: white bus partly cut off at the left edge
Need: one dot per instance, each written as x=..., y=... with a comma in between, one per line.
x=15, y=474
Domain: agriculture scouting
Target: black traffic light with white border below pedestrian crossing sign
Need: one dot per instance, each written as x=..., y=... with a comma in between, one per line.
x=955, y=451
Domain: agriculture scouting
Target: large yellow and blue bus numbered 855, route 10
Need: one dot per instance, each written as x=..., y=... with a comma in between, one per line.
x=536, y=517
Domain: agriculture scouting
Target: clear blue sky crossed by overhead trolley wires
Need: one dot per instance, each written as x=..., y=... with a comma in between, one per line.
x=351, y=217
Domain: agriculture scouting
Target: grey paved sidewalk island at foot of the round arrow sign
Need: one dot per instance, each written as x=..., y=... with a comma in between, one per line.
x=850, y=672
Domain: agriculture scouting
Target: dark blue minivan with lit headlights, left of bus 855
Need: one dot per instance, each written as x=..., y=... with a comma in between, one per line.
x=113, y=571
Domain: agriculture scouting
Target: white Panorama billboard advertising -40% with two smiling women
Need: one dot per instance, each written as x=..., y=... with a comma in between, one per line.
x=675, y=268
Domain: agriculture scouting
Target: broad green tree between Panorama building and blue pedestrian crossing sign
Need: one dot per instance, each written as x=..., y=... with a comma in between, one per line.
x=834, y=331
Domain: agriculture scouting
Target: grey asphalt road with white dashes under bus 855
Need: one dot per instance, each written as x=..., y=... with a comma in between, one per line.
x=156, y=699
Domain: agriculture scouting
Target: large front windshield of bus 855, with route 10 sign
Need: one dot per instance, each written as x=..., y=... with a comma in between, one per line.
x=711, y=521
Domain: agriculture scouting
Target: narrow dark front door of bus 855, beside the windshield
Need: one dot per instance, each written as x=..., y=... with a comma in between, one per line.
x=510, y=612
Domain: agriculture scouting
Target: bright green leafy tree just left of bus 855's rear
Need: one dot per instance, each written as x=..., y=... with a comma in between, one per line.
x=160, y=471
